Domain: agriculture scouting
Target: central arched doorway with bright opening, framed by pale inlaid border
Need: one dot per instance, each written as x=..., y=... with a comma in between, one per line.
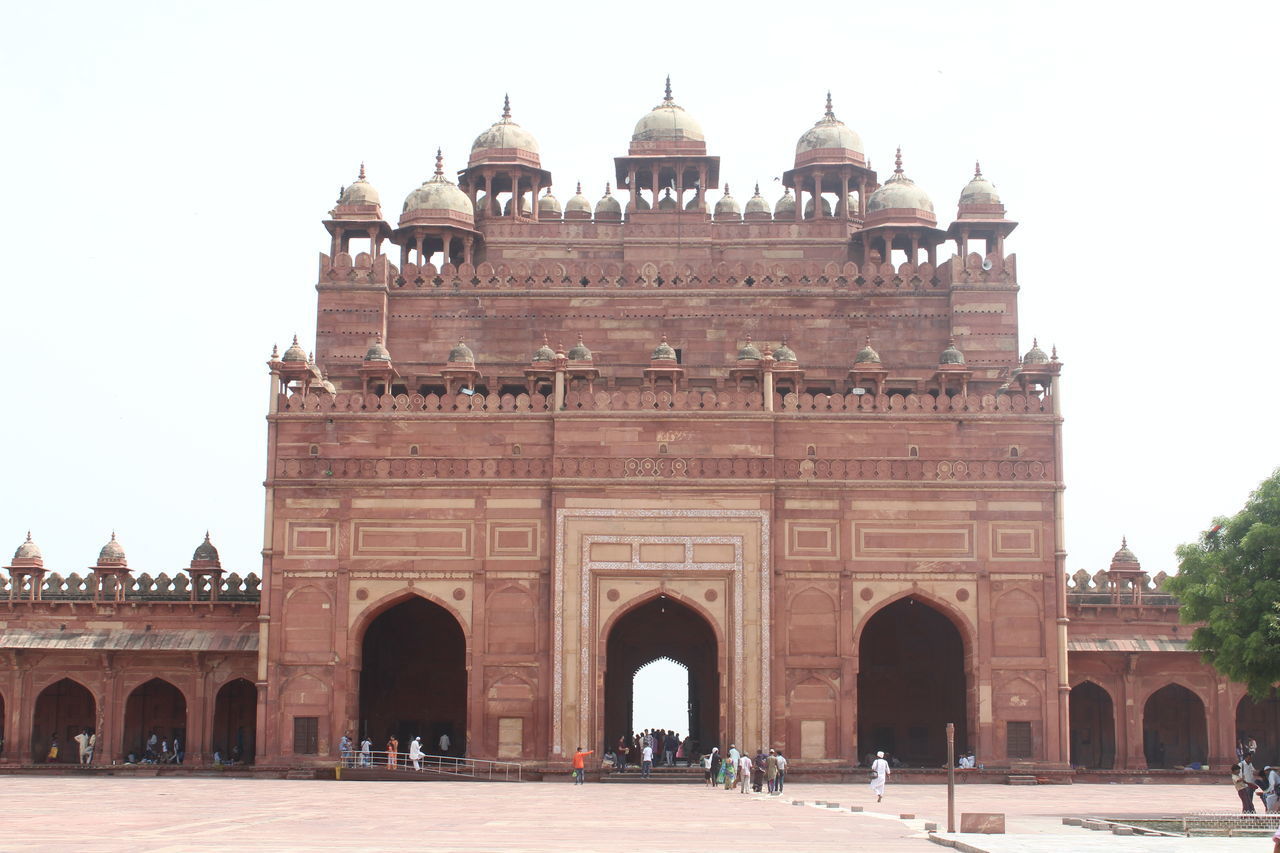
x=664, y=628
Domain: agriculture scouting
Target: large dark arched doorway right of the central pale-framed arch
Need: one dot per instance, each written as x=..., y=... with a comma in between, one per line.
x=911, y=685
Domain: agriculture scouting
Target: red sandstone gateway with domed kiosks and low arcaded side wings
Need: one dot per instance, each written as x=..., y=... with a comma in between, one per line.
x=790, y=446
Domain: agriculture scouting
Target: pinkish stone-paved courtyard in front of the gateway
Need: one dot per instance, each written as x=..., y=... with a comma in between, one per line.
x=181, y=815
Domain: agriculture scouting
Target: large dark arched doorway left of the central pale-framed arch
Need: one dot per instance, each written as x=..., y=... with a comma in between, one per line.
x=414, y=678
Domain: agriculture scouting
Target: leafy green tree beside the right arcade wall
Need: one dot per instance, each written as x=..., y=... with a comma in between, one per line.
x=1229, y=583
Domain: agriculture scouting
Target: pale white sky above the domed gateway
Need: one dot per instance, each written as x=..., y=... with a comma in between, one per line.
x=170, y=165
